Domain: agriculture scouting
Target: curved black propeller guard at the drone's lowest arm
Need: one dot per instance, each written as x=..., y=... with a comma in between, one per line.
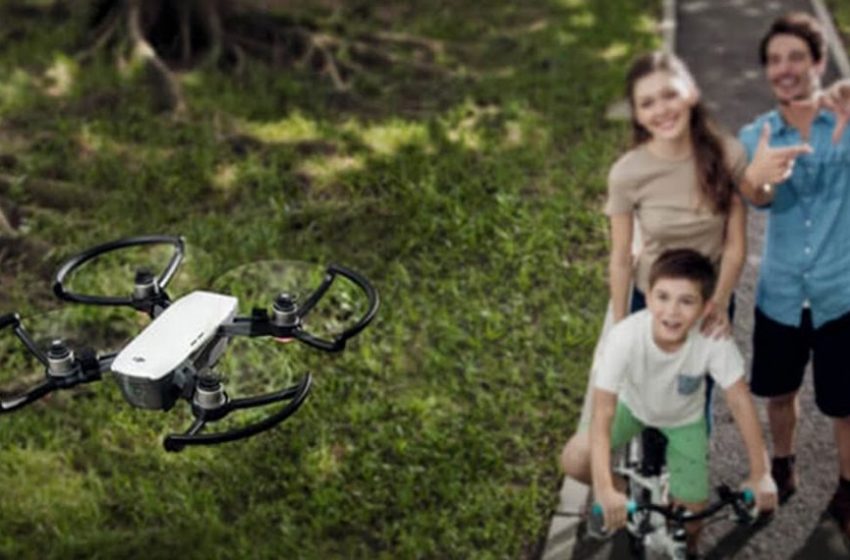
x=295, y=394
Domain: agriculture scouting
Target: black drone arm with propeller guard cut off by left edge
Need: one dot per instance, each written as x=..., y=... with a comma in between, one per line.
x=62, y=369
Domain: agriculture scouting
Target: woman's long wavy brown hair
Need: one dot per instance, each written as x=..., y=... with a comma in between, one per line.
x=713, y=174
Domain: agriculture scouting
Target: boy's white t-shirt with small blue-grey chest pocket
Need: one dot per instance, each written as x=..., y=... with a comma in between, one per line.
x=664, y=389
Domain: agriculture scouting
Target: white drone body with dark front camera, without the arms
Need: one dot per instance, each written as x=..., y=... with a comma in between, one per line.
x=150, y=369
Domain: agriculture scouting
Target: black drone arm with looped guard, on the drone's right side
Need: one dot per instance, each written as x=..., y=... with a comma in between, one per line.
x=288, y=323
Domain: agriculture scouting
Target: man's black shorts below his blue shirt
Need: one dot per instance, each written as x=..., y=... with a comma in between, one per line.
x=780, y=355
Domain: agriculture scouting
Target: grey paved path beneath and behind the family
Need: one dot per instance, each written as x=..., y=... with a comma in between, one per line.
x=718, y=39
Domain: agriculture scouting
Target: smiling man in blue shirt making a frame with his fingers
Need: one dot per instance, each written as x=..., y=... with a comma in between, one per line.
x=800, y=171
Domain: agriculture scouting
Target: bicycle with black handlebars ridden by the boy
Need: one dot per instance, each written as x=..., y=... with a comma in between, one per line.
x=654, y=525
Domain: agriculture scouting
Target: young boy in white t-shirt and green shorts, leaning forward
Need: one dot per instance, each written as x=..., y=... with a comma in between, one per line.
x=652, y=373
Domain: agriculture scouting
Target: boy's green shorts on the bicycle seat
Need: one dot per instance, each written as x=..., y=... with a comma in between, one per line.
x=687, y=453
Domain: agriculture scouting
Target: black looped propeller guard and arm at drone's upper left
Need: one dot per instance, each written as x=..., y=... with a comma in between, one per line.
x=150, y=291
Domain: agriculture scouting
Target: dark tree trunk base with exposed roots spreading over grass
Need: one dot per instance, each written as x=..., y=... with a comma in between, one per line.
x=167, y=37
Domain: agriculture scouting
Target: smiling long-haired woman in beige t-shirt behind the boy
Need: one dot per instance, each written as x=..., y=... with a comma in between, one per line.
x=678, y=184
